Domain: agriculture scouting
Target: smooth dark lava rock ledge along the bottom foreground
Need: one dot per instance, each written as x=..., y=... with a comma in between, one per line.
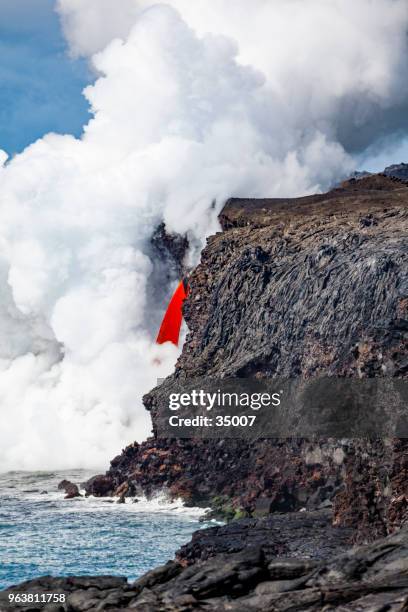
x=369, y=578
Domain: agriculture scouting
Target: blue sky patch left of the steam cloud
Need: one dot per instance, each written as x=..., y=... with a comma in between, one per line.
x=40, y=87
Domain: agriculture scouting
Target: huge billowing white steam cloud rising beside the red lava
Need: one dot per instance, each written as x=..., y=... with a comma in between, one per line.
x=194, y=102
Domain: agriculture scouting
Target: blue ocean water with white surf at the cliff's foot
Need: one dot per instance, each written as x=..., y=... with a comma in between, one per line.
x=43, y=534
